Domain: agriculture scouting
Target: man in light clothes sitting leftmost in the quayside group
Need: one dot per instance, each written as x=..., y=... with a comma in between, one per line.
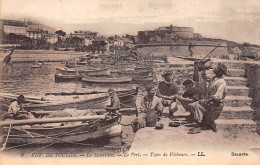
x=149, y=102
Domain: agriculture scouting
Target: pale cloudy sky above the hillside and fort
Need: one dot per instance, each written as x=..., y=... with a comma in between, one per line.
x=235, y=20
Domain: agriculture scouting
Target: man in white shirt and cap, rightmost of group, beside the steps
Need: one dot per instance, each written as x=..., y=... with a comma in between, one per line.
x=206, y=111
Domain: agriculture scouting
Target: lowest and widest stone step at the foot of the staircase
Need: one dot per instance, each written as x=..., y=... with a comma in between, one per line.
x=236, y=126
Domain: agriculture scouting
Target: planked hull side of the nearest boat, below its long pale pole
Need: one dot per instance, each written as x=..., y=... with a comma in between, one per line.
x=63, y=134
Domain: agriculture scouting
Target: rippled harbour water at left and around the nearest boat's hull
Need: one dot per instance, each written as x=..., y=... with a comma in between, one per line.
x=21, y=78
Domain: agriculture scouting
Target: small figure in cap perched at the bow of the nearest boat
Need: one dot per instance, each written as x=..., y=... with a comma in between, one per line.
x=115, y=102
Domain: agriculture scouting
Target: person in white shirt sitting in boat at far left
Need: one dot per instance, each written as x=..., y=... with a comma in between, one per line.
x=16, y=111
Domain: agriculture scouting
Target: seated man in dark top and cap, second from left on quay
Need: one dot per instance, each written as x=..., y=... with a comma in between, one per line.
x=168, y=91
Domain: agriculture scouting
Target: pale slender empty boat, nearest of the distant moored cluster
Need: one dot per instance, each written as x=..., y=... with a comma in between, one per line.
x=91, y=79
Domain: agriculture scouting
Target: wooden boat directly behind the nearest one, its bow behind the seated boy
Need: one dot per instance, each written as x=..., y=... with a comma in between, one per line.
x=60, y=101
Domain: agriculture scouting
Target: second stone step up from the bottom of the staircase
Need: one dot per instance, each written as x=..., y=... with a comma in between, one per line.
x=237, y=113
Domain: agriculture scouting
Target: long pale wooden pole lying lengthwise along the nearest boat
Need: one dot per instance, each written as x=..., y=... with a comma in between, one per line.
x=51, y=120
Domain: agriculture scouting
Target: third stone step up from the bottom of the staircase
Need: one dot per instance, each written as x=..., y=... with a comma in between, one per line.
x=237, y=101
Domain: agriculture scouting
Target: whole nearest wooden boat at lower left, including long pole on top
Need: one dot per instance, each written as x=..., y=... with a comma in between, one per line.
x=83, y=128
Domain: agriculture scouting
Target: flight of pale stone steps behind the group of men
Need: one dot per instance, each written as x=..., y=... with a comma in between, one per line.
x=237, y=115
